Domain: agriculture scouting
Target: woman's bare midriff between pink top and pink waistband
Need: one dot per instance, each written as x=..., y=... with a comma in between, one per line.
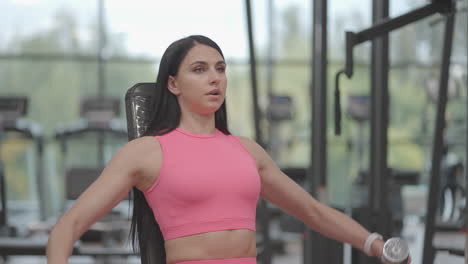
x=239, y=243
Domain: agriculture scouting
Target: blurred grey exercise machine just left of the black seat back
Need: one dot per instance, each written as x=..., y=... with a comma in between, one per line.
x=98, y=121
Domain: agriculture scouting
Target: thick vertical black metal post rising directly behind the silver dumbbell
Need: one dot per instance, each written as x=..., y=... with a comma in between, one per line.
x=379, y=119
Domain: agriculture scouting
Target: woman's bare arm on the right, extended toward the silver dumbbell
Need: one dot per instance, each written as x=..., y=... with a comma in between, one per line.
x=283, y=192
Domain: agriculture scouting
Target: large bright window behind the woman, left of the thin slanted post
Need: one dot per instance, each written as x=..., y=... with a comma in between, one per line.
x=50, y=52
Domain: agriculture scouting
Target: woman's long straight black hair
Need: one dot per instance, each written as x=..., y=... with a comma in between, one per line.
x=145, y=232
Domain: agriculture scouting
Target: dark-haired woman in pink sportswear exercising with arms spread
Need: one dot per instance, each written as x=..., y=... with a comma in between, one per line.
x=196, y=186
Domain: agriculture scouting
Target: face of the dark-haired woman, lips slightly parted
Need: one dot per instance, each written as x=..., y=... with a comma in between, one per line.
x=200, y=84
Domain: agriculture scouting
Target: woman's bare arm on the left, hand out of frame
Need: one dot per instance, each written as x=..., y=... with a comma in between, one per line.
x=129, y=167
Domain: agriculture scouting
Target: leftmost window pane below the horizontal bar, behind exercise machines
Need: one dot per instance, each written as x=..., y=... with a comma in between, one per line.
x=54, y=90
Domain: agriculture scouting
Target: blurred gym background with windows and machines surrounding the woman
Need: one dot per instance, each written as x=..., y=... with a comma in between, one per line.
x=65, y=67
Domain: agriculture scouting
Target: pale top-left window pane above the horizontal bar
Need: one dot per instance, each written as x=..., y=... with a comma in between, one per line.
x=48, y=26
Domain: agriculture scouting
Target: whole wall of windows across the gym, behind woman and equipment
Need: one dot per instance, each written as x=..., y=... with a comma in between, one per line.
x=49, y=51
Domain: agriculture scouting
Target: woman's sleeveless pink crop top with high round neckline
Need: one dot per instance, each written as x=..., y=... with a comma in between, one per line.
x=206, y=183
